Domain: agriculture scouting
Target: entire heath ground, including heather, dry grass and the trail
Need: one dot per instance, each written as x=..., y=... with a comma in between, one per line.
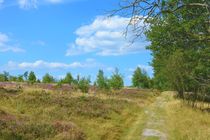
x=33, y=112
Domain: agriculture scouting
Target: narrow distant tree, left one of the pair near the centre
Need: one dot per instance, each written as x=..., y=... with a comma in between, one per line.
x=101, y=81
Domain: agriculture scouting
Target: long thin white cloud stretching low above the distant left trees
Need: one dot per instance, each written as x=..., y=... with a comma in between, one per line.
x=40, y=64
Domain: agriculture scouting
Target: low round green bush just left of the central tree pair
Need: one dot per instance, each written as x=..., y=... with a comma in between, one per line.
x=84, y=84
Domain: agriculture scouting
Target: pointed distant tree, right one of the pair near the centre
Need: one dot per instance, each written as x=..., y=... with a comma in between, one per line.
x=116, y=81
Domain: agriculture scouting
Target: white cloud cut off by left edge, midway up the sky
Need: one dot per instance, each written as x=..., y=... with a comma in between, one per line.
x=6, y=45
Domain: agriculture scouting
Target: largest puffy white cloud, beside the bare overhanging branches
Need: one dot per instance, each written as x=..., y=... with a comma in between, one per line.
x=105, y=36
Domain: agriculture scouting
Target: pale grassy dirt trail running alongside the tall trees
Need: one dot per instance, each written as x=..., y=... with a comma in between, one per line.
x=154, y=128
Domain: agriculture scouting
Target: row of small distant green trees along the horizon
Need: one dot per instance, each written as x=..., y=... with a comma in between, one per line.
x=140, y=79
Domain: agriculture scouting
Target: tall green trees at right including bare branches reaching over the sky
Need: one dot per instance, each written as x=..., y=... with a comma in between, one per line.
x=179, y=32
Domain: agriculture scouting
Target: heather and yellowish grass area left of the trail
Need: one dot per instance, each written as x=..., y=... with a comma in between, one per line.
x=43, y=114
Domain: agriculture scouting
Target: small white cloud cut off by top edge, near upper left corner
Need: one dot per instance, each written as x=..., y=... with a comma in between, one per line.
x=27, y=4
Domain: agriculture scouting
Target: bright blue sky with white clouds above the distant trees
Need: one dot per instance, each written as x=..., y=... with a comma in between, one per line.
x=60, y=36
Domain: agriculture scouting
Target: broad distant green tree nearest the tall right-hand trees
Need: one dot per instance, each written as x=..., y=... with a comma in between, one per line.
x=140, y=79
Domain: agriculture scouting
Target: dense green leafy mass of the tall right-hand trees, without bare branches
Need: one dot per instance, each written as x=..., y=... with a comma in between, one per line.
x=180, y=48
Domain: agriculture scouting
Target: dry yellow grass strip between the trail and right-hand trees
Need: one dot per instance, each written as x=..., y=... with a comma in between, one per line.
x=186, y=123
